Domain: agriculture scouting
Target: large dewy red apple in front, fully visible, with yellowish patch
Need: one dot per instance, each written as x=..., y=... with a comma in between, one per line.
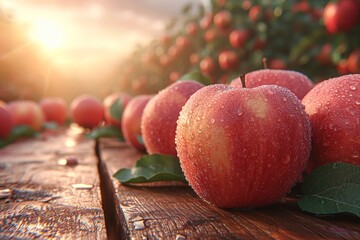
x=243, y=147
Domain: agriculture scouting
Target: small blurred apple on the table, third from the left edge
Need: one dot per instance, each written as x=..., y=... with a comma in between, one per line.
x=55, y=109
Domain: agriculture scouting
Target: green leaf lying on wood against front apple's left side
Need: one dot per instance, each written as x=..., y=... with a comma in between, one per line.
x=152, y=168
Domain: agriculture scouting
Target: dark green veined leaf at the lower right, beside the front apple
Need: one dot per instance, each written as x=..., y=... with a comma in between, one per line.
x=332, y=188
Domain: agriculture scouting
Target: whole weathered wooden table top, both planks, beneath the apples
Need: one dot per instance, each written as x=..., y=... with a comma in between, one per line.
x=40, y=199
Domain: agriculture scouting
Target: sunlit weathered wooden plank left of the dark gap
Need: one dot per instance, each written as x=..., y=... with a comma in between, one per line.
x=42, y=200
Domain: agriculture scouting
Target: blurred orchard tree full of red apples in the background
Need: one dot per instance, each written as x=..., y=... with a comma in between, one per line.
x=318, y=38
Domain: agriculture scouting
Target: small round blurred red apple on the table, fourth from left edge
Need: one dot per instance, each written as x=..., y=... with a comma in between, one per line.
x=87, y=111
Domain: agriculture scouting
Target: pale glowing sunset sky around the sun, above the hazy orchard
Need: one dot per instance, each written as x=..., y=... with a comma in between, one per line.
x=93, y=35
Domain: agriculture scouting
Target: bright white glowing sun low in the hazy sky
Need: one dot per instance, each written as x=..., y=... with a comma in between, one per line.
x=48, y=34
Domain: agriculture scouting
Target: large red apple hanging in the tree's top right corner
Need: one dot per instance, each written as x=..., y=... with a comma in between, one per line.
x=341, y=16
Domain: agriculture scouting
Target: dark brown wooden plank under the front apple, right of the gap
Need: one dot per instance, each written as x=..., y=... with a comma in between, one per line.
x=175, y=212
